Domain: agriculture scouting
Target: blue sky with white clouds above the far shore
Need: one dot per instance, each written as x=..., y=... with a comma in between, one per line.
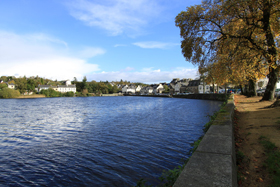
x=133, y=40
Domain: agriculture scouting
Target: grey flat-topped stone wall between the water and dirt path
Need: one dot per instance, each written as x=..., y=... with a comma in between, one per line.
x=214, y=161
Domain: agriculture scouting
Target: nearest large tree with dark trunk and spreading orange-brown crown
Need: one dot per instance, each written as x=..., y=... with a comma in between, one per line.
x=253, y=25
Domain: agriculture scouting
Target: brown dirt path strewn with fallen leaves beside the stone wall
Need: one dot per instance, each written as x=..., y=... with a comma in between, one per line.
x=252, y=120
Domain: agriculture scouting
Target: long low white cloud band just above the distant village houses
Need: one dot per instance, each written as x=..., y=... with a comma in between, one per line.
x=148, y=76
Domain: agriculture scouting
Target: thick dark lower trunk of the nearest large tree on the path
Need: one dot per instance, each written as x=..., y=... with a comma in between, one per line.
x=271, y=85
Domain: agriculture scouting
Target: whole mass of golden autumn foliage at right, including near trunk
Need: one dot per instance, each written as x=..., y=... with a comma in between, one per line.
x=233, y=41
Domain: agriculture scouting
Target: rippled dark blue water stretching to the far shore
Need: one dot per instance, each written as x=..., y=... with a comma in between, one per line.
x=96, y=141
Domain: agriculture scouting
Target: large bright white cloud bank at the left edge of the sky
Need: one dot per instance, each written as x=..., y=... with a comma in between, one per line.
x=42, y=55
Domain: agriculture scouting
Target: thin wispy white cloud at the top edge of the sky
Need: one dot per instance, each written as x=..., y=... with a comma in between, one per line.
x=115, y=16
